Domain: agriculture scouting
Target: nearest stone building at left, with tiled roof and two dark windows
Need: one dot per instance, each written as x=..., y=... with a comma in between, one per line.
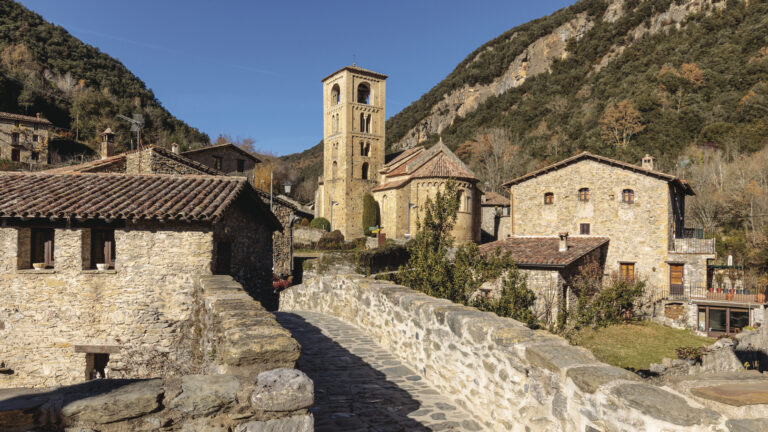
x=97, y=269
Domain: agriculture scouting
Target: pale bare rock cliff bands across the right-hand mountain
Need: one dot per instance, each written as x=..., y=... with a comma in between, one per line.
x=538, y=57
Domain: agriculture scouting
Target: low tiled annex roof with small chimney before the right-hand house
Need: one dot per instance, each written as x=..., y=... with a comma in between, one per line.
x=544, y=251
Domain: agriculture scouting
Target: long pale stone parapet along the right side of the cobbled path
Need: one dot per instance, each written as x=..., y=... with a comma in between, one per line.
x=514, y=377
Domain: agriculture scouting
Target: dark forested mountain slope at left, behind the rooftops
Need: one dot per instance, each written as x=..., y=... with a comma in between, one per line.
x=80, y=89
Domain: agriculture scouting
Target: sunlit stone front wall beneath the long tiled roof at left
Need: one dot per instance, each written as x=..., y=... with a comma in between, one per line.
x=140, y=307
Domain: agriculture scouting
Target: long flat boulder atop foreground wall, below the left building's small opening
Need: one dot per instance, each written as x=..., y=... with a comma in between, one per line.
x=126, y=402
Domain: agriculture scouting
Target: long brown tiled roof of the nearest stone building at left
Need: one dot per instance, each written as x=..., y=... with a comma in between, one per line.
x=110, y=196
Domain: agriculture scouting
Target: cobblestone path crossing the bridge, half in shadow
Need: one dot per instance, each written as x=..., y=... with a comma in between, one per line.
x=359, y=386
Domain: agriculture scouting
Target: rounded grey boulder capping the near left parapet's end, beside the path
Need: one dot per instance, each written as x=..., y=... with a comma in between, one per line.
x=283, y=390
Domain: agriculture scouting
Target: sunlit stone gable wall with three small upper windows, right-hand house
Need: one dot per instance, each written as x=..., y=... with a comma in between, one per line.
x=639, y=232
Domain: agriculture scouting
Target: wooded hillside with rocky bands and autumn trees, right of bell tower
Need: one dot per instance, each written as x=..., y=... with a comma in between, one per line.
x=672, y=72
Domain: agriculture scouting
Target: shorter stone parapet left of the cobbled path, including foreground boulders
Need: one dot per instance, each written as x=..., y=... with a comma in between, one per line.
x=249, y=382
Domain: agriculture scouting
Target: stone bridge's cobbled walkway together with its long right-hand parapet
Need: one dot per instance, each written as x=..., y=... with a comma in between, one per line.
x=387, y=358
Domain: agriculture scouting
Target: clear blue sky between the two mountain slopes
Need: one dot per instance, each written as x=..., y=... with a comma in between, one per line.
x=253, y=68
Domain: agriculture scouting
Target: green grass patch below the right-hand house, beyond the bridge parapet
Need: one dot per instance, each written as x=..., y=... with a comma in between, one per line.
x=636, y=346
